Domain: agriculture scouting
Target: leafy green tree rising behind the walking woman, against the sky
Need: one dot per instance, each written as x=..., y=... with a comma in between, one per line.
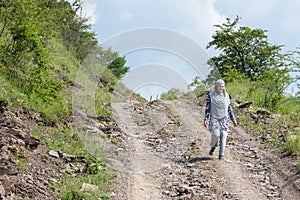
x=246, y=53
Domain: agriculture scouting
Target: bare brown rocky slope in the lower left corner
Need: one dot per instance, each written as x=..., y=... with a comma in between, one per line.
x=28, y=168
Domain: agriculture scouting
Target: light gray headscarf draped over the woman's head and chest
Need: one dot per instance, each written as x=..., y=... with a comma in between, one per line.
x=219, y=102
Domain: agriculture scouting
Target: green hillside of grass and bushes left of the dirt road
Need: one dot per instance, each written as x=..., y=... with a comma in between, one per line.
x=43, y=47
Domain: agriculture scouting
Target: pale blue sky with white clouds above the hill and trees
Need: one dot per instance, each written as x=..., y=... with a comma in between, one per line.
x=128, y=27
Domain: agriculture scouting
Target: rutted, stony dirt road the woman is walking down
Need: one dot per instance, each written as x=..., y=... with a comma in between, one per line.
x=166, y=157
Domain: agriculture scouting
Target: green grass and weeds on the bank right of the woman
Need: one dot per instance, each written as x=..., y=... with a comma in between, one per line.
x=285, y=134
